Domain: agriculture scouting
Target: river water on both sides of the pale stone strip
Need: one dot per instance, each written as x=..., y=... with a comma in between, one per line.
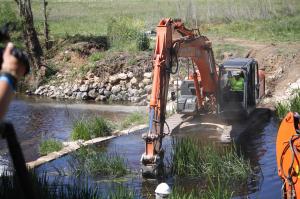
x=35, y=119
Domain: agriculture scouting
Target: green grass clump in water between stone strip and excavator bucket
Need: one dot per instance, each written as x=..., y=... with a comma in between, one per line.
x=94, y=162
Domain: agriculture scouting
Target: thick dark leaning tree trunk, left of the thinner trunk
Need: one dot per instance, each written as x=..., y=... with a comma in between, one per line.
x=32, y=43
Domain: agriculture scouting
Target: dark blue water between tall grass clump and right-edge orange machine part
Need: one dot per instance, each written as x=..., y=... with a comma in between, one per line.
x=260, y=147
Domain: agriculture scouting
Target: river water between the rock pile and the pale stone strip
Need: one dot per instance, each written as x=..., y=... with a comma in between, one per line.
x=36, y=119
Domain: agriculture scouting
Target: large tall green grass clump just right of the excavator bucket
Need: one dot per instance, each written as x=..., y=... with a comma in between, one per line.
x=191, y=158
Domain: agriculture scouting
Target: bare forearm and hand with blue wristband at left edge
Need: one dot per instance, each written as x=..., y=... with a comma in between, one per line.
x=12, y=70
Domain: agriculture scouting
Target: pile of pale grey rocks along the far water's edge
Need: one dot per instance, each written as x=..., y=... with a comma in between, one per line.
x=118, y=87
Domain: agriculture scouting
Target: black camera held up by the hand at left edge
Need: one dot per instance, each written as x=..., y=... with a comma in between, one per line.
x=20, y=55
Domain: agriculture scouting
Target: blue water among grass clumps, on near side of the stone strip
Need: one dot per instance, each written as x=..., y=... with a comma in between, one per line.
x=258, y=146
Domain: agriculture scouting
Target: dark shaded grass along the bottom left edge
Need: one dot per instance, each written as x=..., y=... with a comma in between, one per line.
x=10, y=188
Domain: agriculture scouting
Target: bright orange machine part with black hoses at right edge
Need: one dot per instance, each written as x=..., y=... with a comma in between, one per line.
x=288, y=155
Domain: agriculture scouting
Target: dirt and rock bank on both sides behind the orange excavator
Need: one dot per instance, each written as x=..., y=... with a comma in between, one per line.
x=87, y=71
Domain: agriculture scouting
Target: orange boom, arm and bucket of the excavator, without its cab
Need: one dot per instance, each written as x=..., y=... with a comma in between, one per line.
x=173, y=40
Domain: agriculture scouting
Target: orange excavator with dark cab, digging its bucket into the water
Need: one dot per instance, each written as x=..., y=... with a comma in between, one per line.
x=209, y=87
